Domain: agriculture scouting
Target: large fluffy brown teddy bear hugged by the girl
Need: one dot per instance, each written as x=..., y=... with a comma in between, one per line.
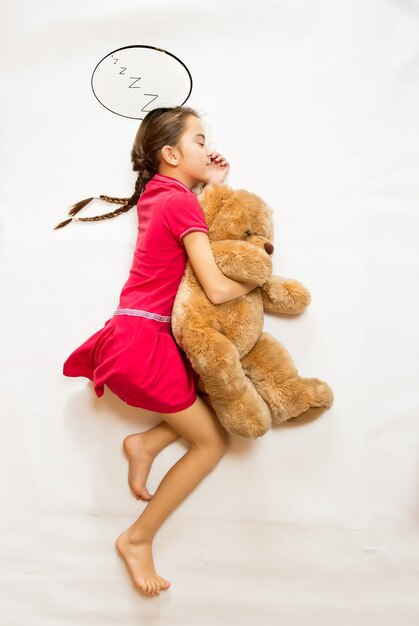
x=247, y=375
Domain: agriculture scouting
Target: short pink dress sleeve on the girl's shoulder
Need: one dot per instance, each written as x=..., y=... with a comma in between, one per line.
x=183, y=214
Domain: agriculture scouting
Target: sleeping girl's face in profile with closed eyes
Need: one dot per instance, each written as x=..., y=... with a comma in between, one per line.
x=191, y=154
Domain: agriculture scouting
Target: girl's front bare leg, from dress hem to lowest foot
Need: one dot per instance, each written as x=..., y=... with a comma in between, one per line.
x=208, y=441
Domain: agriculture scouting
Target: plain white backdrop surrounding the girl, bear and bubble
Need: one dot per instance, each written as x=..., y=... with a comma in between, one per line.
x=315, y=105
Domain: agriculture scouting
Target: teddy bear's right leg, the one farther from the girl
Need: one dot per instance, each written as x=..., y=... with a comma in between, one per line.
x=273, y=373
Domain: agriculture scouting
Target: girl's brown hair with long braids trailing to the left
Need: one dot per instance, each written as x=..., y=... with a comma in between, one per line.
x=160, y=127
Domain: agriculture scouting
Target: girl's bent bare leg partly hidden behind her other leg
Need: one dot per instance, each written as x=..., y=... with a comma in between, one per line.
x=141, y=449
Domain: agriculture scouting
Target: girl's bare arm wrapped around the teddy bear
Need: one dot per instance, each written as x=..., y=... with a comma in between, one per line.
x=218, y=287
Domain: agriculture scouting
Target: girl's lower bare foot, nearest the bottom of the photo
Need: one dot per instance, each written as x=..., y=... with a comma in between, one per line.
x=139, y=560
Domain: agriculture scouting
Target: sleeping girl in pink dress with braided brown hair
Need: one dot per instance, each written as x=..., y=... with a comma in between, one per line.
x=135, y=353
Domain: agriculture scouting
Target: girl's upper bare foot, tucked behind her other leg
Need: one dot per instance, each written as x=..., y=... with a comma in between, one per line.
x=140, y=460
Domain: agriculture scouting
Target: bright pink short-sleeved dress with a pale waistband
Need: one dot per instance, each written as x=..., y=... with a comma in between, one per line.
x=135, y=353
